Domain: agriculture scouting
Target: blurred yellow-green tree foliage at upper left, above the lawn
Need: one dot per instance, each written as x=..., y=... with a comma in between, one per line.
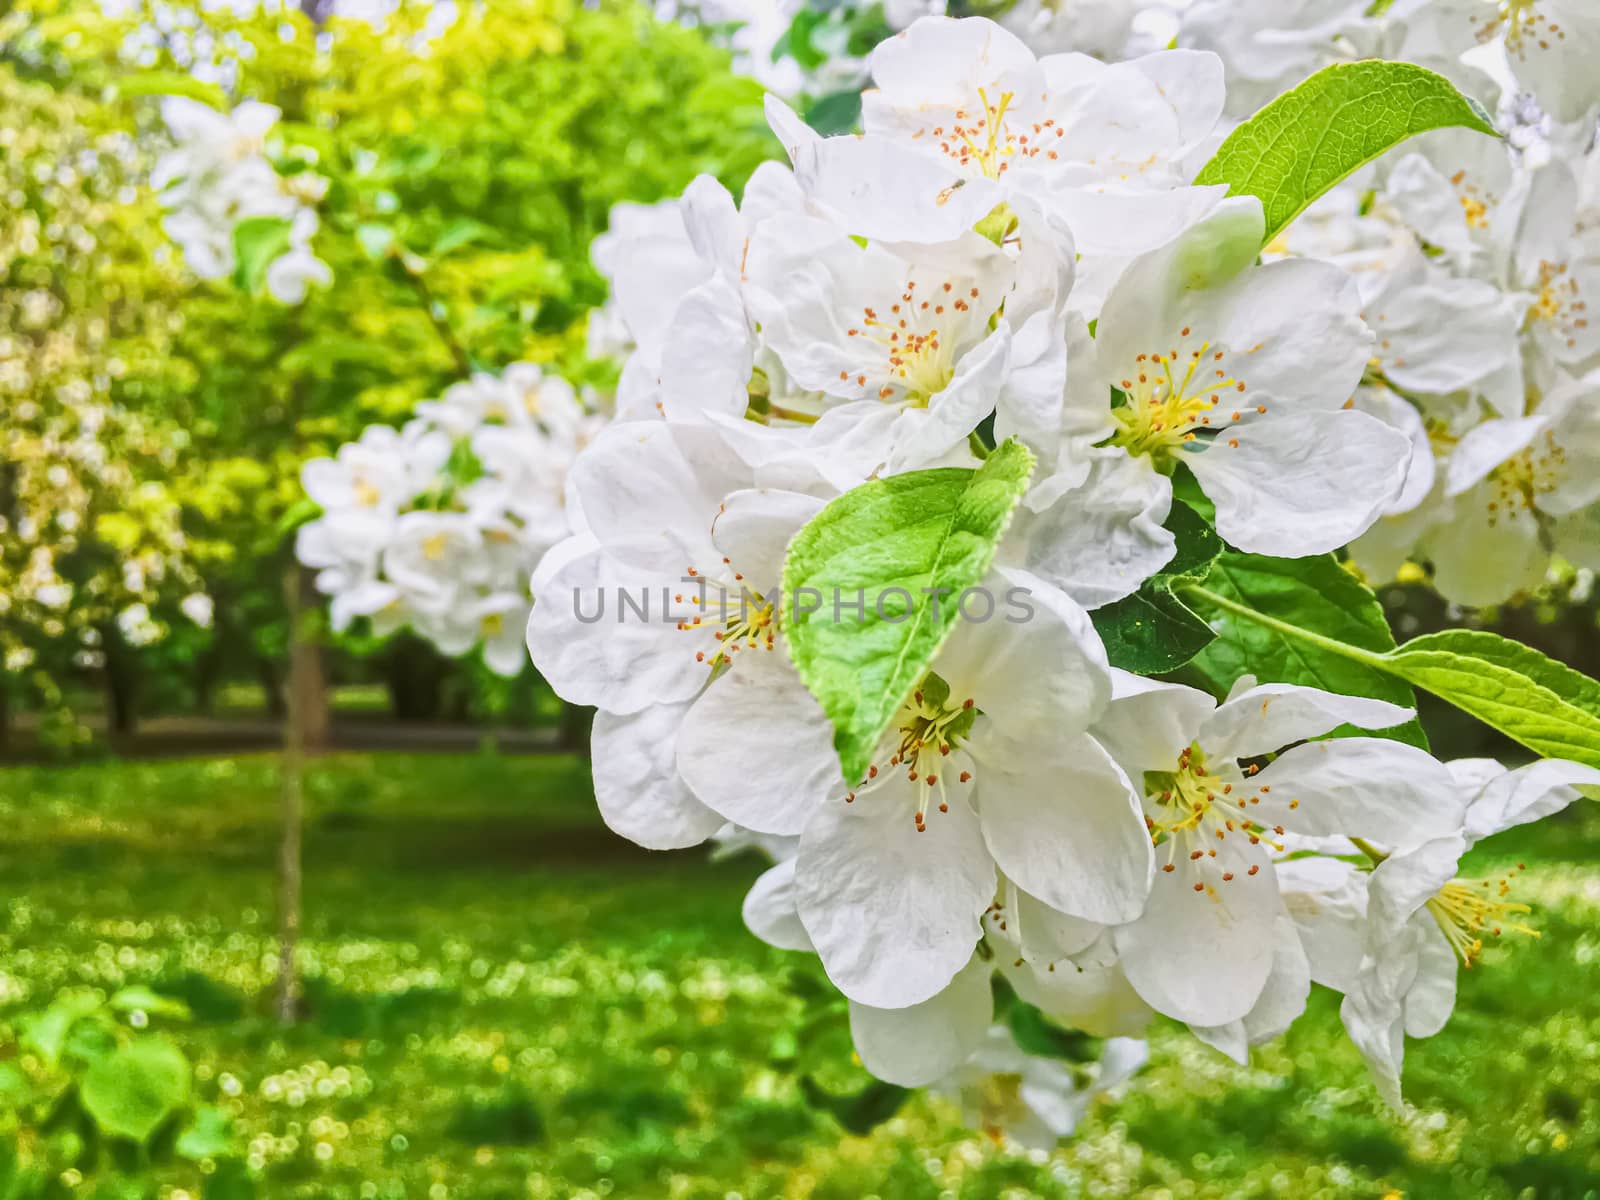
x=470, y=169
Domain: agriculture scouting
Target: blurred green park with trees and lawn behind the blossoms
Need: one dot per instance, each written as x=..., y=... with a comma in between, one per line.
x=495, y=996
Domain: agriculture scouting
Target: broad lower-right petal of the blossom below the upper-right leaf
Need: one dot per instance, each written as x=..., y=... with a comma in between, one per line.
x=1302, y=484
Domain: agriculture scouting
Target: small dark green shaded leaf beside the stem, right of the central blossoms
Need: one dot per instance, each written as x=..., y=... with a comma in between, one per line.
x=1153, y=631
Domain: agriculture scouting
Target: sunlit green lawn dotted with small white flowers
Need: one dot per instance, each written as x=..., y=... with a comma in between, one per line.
x=510, y=1002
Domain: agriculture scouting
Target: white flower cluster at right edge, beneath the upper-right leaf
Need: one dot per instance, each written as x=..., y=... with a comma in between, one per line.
x=1478, y=262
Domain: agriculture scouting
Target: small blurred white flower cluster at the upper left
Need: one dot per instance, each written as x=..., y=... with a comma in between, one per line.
x=218, y=177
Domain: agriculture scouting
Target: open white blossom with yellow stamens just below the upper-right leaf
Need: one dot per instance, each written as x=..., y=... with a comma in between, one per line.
x=1246, y=375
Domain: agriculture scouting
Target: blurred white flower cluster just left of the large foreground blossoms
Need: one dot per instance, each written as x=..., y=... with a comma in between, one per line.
x=441, y=524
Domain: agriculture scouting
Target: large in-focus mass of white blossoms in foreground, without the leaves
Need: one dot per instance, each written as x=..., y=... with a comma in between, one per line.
x=1017, y=241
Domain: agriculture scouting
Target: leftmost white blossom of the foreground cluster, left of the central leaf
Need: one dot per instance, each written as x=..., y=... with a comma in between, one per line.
x=666, y=586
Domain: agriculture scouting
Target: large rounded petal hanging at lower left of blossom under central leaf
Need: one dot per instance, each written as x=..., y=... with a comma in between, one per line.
x=894, y=913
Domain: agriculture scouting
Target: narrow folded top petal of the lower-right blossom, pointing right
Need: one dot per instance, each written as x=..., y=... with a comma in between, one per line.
x=1268, y=718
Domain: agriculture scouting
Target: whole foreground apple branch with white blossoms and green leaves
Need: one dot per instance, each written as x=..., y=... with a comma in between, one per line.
x=972, y=537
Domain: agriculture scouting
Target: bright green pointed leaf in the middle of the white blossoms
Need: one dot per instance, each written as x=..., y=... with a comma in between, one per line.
x=897, y=543
